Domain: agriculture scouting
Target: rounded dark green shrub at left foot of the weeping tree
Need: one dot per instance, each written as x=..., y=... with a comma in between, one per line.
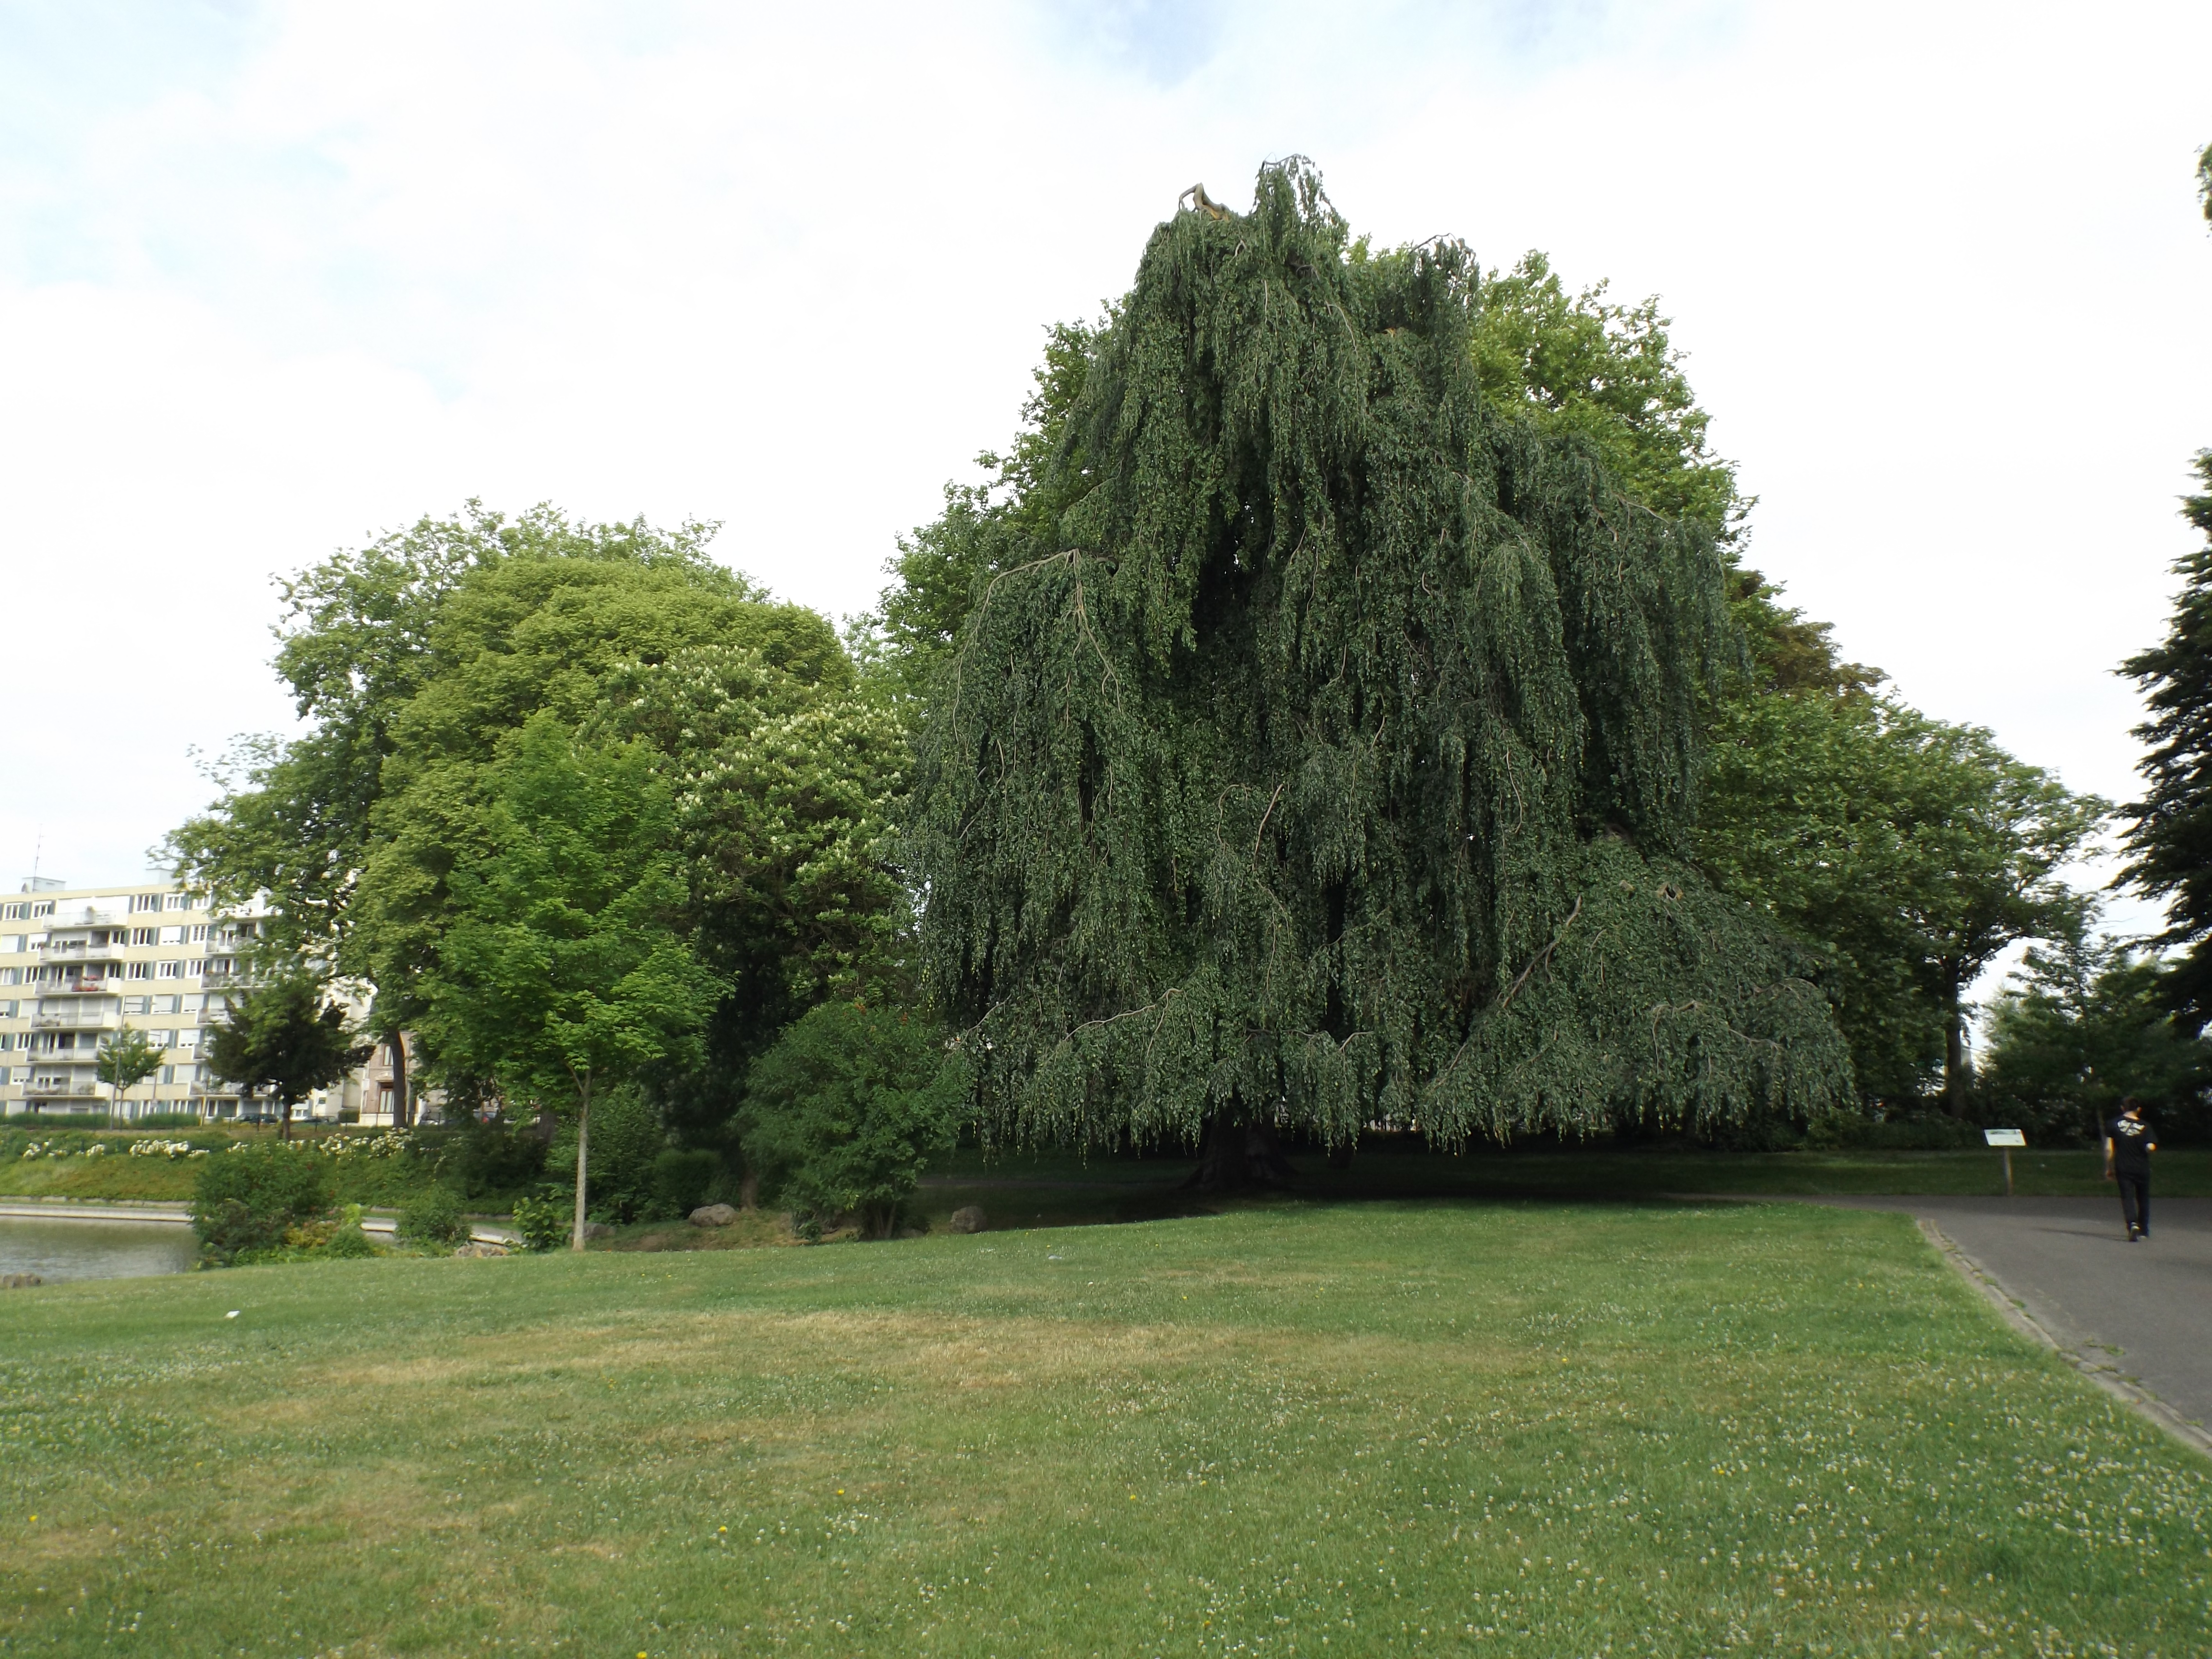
x=848, y=1109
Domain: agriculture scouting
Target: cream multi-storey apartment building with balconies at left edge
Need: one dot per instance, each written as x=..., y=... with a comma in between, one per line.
x=79, y=966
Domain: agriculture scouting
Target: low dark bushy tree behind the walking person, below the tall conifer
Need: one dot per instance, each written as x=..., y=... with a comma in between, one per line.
x=2080, y=1027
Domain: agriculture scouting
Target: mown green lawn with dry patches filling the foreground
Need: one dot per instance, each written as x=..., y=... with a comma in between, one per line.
x=1388, y=1428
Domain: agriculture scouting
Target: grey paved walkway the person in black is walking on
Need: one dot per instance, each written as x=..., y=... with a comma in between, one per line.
x=2142, y=1311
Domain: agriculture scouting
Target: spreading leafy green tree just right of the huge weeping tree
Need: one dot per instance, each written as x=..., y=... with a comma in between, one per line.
x=1910, y=848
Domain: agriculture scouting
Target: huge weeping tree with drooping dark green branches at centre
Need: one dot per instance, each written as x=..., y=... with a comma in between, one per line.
x=1328, y=760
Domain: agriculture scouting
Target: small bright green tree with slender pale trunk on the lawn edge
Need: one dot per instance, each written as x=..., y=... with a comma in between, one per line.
x=563, y=966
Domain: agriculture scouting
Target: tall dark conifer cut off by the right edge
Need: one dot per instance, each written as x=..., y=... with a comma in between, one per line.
x=2171, y=828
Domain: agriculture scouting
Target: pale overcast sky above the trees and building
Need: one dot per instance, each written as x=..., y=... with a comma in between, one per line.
x=280, y=278
